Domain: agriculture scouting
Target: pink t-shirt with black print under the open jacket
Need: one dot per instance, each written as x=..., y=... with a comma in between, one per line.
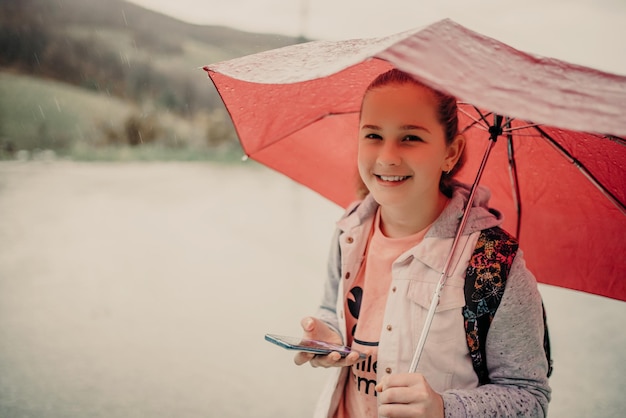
x=365, y=308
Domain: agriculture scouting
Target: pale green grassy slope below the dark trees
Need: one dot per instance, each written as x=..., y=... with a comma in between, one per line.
x=38, y=114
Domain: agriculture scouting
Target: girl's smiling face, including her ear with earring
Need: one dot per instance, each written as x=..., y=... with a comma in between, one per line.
x=402, y=150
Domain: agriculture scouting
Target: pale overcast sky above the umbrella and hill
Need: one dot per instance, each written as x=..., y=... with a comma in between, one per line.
x=586, y=32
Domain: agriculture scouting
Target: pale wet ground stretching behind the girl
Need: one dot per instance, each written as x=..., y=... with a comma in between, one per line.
x=144, y=290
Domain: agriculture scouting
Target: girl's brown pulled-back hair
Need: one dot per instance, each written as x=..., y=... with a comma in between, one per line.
x=447, y=114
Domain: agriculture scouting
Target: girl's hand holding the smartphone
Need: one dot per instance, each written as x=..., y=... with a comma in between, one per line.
x=314, y=329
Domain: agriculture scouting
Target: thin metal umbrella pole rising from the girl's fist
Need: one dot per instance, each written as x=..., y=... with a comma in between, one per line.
x=495, y=130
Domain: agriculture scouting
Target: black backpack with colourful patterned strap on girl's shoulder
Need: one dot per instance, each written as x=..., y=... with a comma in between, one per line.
x=485, y=281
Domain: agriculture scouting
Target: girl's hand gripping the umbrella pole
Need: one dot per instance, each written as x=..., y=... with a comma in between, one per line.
x=405, y=395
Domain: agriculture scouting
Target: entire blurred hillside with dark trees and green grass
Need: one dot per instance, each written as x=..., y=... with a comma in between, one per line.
x=105, y=79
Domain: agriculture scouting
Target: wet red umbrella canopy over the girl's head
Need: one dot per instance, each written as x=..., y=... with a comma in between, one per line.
x=556, y=172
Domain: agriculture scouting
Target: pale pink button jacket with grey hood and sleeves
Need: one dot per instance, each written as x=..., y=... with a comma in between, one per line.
x=515, y=356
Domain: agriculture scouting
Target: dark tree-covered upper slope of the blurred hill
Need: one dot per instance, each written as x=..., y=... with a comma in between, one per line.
x=39, y=37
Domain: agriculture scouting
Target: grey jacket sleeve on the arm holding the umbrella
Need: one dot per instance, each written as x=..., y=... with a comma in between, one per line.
x=516, y=359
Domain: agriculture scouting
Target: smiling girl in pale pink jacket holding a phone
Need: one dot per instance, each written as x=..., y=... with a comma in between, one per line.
x=387, y=257
